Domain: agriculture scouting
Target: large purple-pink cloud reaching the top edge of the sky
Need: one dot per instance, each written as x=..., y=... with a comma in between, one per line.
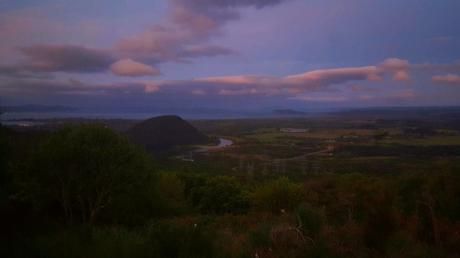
x=190, y=25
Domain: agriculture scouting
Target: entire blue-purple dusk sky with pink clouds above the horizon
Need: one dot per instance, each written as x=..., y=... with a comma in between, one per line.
x=230, y=54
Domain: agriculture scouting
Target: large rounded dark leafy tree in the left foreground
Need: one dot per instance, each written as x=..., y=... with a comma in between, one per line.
x=86, y=169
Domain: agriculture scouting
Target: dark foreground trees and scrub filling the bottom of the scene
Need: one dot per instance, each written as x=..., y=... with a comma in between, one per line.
x=86, y=191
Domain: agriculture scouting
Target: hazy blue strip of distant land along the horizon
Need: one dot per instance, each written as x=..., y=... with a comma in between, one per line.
x=134, y=112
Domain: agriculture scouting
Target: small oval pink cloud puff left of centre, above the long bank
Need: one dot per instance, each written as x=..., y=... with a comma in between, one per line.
x=129, y=67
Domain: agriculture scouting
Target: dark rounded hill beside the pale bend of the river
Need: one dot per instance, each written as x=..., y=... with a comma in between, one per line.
x=163, y=132
